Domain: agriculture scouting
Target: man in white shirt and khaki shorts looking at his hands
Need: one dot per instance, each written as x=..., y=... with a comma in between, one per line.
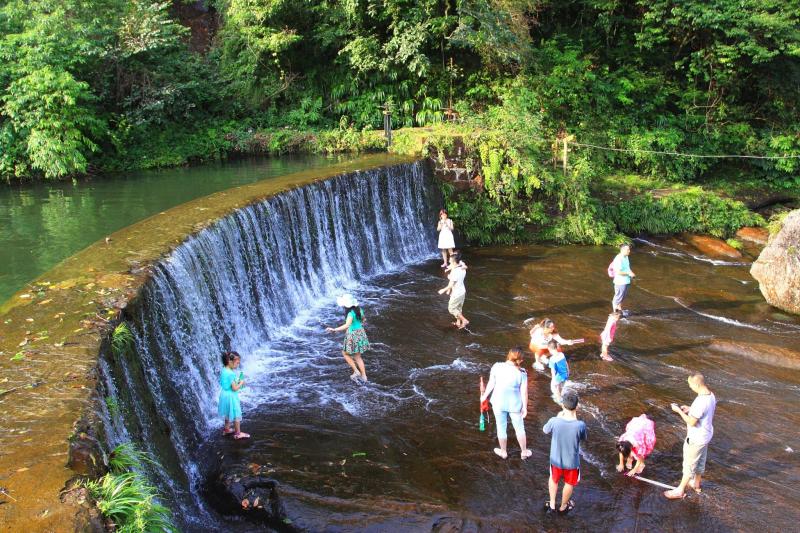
x=699, y=420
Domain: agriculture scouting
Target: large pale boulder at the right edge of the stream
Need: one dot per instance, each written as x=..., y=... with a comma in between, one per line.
x=778, y=266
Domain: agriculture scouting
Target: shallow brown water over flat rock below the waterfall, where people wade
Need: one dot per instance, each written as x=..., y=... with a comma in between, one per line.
x=405, y=453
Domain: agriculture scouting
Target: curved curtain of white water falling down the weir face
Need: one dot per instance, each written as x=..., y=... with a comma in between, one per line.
x=242, y=283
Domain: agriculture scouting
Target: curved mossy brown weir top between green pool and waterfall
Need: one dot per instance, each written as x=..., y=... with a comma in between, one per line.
x=53, y=333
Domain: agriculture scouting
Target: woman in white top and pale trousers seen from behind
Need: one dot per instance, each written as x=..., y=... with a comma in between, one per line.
x=508, y=385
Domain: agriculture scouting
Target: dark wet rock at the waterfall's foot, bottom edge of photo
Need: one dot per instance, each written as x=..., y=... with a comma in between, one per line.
x=245, y=490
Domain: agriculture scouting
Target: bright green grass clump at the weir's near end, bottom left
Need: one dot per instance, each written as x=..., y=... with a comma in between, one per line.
x=125, y=497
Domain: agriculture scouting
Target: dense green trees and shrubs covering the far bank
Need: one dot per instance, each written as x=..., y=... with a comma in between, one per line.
x=90, y=82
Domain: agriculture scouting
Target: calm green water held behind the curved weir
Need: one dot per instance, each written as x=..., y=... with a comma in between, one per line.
x=43, y=223
